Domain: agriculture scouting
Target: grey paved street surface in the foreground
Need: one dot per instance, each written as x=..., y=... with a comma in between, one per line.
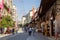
x=25, y=36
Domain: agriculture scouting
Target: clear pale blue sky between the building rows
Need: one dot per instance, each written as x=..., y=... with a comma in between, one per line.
x=23, y=6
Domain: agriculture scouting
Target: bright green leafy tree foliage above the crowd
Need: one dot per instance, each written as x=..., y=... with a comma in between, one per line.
x=6, y=21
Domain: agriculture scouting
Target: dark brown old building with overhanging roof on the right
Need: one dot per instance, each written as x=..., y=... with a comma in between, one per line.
x=47, y=12
